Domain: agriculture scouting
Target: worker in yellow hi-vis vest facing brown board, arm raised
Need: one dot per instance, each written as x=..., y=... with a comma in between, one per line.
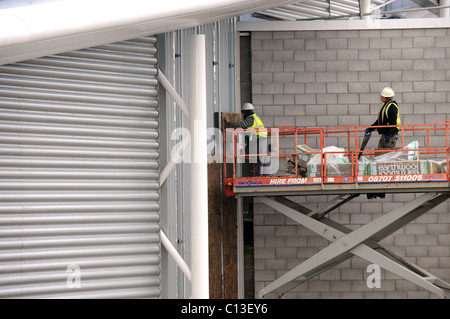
x=257, y=138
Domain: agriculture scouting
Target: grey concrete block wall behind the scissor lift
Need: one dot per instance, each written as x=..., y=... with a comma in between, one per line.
x=334, y=78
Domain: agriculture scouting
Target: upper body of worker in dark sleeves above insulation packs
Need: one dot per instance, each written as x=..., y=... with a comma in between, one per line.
x=389, y=115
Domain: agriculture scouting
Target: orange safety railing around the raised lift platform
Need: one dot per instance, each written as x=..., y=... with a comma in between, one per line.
x=321, y=163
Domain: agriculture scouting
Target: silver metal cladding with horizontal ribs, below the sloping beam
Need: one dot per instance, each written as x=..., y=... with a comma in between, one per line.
x=79, y=169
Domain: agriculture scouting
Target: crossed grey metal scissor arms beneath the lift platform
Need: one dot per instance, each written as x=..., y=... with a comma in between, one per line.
x=362, y=242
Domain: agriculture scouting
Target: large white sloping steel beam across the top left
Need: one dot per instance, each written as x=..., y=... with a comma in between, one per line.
x=39, y=28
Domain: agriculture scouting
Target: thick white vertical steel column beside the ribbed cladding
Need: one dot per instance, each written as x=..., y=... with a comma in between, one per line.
x=198, y=168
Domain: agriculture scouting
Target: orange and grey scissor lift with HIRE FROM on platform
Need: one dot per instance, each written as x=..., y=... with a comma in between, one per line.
x=274, y=190
